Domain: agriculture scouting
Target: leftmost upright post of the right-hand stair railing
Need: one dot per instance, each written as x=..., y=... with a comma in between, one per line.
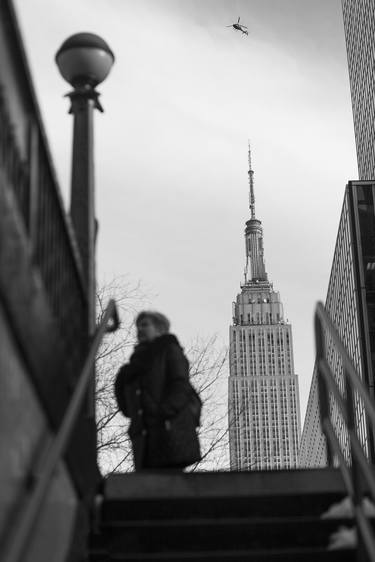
x=322, y=388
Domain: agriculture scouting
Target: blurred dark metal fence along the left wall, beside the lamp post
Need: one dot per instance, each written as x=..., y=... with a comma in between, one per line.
x=48, y=230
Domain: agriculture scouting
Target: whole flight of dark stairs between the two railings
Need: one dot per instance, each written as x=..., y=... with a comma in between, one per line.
x=252, y=516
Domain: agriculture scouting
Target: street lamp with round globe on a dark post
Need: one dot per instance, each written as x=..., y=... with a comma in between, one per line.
x=84, y=60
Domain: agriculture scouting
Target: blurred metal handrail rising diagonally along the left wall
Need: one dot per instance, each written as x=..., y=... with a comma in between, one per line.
x=41, y=481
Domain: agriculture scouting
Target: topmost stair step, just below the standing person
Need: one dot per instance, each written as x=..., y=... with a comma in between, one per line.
x=163, y=495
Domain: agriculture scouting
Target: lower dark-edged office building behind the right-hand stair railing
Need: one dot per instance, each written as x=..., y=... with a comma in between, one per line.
x=350, y=303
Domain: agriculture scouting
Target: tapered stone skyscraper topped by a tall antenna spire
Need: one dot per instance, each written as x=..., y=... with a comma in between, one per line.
x=264, y=411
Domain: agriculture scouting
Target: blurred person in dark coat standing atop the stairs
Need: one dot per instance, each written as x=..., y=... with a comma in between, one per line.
x=154, y=391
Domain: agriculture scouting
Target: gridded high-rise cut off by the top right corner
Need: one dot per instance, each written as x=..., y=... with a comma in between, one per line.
x=359, y=24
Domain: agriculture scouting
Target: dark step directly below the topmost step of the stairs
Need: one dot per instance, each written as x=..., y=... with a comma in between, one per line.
x=219, y=534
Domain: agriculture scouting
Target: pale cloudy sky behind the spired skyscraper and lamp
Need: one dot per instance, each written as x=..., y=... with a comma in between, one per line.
x=184, y=96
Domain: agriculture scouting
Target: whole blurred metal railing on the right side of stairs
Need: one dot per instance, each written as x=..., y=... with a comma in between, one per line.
x=357, y=472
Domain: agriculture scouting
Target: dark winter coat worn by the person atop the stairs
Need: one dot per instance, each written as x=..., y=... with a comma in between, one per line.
x=152, y=389
